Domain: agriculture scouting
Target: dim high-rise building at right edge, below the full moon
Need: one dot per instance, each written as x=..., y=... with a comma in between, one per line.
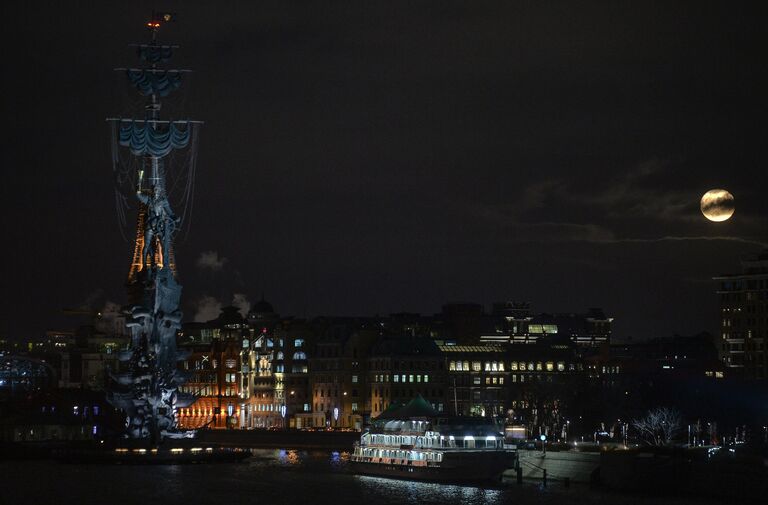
x=744, y=318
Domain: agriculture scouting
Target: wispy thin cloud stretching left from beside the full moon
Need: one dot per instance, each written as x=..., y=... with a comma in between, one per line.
x=645, y=204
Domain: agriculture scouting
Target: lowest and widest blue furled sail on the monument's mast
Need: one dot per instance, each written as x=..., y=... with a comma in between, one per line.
x=145, y=140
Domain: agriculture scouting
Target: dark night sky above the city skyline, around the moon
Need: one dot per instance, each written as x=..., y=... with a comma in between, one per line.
x=373, y=157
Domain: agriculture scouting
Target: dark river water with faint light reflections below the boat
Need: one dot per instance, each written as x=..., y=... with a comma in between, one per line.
x=279, y=477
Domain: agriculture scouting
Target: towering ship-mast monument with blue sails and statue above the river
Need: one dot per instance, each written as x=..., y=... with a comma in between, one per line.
x=147, y=387
